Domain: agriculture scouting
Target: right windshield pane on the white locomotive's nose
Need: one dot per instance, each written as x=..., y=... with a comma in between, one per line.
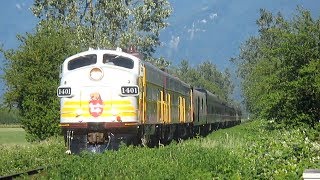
x=118, y=61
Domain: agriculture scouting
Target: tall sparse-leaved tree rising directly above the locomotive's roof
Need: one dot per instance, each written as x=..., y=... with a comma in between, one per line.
x=112, y=23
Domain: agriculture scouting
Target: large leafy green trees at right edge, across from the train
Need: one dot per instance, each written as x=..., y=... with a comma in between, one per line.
x=280, y=69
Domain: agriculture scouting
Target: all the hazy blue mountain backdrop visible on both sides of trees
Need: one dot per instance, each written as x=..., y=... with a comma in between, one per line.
x=198, y=31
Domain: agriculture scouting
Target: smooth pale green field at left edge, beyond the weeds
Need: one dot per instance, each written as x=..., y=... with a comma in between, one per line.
x=12, y=136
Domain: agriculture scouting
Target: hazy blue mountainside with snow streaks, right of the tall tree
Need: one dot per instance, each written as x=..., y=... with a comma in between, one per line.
x=214, y=29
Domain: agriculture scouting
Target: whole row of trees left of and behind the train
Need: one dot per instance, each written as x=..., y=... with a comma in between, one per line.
x=69, y=27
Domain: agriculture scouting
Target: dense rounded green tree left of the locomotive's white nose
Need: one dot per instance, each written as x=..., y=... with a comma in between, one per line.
x=32, y=76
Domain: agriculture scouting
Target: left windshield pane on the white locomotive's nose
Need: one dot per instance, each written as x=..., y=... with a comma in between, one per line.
x=82, y=61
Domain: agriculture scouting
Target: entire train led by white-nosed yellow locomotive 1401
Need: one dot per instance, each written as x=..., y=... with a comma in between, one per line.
x=109, y=96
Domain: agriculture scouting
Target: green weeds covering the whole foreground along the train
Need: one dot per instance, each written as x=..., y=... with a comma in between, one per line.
x=248, y=151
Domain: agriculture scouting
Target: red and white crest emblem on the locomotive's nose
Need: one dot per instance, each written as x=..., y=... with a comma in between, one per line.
x=95, y=104
